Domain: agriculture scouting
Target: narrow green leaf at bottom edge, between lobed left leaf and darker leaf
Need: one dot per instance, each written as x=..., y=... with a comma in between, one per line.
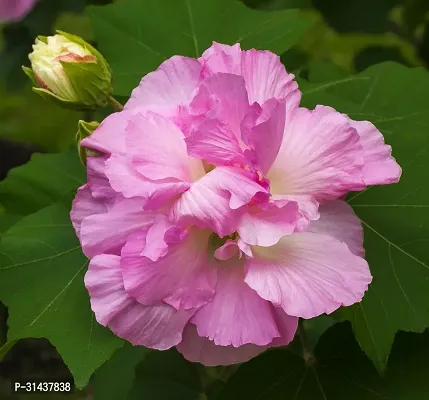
x=115, y=378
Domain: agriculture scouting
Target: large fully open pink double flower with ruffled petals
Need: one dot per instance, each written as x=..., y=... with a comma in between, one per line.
x=212, y=220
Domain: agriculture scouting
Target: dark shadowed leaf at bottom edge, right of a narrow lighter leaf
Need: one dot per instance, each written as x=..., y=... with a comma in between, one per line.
x=166, y=375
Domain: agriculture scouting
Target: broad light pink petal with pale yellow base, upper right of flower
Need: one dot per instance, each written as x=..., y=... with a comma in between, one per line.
x=321, y=156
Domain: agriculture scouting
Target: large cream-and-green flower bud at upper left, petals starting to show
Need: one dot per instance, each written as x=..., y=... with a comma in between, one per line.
x=66, y=69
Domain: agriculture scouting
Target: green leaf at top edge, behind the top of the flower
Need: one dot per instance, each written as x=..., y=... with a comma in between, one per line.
x=138, y=35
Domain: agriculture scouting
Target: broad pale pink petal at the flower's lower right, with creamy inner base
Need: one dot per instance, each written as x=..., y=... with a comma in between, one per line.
x=308, y=274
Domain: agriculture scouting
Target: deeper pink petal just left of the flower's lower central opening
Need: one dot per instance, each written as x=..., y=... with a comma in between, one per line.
x=181, y=278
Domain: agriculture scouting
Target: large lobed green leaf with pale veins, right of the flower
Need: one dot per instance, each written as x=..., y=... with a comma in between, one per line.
x=395, y=217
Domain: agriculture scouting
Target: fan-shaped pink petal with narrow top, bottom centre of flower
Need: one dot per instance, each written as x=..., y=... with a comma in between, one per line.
x=237, y=315
